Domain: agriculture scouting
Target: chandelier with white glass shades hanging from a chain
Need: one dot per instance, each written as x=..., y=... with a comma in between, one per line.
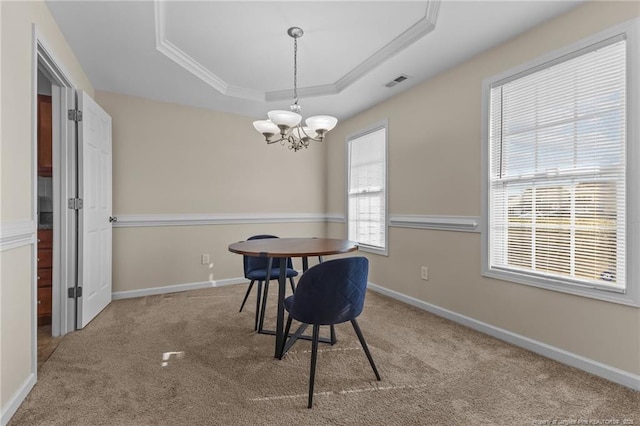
x=285, y=125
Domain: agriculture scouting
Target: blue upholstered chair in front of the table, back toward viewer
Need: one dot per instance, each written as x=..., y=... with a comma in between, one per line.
x=330, y=293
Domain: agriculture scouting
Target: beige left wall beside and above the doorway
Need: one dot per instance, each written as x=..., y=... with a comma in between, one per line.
x=16, y=175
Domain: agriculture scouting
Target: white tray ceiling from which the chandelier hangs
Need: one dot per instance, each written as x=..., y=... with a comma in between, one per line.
x=236, y=56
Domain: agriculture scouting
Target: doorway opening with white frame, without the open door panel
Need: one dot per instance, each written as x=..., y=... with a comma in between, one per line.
x=54, y=179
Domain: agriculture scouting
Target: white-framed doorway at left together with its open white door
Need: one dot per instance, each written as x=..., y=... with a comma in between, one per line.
x=74, y=179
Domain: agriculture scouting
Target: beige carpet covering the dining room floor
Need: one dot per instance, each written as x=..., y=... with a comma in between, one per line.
x=191, y=359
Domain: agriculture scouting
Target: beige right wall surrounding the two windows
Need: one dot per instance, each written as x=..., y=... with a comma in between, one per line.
x=434, y=169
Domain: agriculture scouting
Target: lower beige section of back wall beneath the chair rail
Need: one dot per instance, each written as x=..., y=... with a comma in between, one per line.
x=154, y=257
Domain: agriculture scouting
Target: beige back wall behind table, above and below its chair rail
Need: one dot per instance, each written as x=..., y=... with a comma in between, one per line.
x=173, y=159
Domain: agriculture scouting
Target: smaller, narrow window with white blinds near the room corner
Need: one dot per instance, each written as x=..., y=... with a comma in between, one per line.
x=367, y=188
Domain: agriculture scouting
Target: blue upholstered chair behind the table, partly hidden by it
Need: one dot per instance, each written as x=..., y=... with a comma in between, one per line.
x=255, y=269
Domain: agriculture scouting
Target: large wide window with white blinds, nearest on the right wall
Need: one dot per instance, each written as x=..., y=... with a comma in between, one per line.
x=557, y=170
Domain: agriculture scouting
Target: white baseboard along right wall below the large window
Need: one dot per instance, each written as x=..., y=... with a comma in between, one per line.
x=597, y=368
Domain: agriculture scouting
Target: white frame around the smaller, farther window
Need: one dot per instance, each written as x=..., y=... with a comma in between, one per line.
x=375, y=127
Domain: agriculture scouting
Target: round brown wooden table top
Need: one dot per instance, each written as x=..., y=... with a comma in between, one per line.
x=293, y=247
